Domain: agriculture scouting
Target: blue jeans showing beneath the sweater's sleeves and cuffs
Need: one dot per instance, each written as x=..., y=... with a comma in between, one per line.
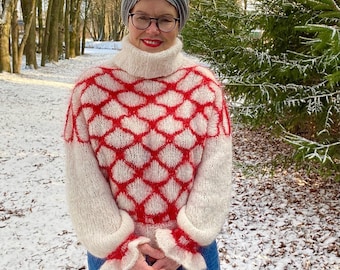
x=209, y=253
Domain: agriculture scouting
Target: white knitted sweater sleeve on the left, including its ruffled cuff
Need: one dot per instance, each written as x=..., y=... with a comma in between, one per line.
x=105, y=230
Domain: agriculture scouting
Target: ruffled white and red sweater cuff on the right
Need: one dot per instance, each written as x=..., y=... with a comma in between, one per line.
x=178, y=246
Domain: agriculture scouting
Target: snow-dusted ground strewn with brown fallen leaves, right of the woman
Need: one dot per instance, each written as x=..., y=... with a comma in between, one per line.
x=280, y=217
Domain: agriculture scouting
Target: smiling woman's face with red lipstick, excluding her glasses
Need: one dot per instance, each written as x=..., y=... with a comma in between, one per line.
x=152, y=39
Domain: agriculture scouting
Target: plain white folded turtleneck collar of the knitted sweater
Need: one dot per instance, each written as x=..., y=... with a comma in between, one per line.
x=149, y=65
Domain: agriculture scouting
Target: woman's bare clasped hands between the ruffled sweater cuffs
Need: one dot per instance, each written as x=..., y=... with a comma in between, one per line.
x=157, y=257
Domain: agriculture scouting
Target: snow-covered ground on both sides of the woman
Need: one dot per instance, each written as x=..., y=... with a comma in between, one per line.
x=278, y=219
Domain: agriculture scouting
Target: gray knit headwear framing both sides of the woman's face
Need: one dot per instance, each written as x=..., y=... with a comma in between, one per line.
x=182, y=7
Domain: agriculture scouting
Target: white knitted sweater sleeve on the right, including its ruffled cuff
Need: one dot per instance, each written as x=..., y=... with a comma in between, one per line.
x=201, y=219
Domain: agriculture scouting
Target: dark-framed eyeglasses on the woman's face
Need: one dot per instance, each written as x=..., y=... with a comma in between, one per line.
x=164, y=23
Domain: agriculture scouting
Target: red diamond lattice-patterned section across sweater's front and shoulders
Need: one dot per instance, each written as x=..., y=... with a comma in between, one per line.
x=147, y=135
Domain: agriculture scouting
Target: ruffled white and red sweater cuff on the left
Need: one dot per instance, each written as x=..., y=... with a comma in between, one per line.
x=126, y=255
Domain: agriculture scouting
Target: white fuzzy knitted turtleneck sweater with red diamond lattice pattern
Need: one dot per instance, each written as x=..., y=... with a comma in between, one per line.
x=148, y=151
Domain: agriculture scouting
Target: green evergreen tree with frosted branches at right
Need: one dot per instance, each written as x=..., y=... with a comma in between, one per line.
x=280, y=72
